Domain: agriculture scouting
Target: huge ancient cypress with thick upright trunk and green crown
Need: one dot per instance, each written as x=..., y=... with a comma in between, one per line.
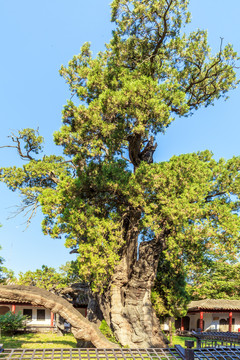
x=119, y=210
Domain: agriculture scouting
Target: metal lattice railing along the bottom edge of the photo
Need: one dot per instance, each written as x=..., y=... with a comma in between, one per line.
x=176, y=353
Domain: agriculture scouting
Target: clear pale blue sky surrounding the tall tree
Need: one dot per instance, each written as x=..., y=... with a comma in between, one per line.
x=36, y=38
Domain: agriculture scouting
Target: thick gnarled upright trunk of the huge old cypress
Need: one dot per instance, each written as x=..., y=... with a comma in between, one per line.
x=126, y=304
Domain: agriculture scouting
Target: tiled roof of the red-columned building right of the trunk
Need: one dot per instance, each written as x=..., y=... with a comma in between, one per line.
x=214, y=304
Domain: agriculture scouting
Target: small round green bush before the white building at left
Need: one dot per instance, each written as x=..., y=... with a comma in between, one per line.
x=10, y=322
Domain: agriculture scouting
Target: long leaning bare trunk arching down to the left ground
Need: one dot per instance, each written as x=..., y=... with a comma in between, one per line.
x=82, y=329
